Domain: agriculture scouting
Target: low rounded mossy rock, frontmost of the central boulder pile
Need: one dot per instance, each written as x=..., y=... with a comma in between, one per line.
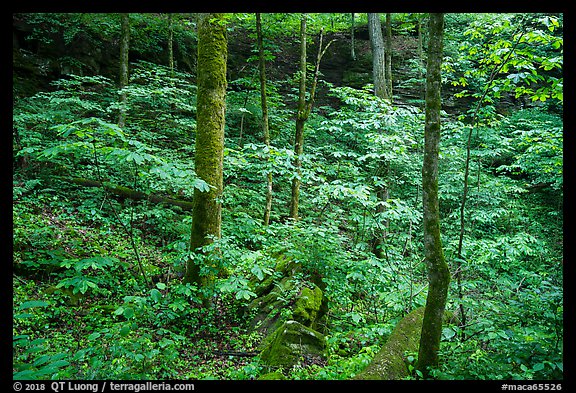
x=290, y=342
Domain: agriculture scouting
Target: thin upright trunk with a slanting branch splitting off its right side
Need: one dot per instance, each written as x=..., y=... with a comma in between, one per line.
x=300, y=120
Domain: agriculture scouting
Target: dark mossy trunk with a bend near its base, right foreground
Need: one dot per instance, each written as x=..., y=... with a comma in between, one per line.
x=438, y=273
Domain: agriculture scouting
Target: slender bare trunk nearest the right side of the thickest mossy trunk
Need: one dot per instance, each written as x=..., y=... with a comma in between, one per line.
x=263, y=101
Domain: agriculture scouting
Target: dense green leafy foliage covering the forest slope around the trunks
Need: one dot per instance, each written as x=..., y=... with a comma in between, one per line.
x=97, y=289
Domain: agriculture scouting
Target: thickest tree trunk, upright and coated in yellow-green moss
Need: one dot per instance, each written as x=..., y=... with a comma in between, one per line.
x=211, y=107
